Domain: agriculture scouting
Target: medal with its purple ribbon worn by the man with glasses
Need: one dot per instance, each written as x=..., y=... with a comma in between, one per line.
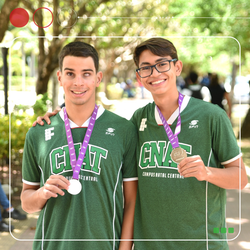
x=178, y=153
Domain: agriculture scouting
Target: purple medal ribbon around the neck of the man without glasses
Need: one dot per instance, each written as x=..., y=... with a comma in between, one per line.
x=76, y=165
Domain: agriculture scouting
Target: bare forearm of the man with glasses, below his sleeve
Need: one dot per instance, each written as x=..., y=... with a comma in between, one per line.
x=227, y=178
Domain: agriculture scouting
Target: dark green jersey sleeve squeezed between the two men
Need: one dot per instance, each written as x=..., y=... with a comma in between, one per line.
x=129, y=161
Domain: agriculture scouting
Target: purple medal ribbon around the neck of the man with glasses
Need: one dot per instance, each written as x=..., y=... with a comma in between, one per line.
x=171, y=136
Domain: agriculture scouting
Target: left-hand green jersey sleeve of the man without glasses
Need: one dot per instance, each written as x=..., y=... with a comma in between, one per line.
x=30, y=169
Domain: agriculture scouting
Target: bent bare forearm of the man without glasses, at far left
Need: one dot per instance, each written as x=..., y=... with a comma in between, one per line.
x=32, y=201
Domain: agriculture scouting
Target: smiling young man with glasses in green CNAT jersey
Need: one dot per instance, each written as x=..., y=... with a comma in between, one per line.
x=188, y=157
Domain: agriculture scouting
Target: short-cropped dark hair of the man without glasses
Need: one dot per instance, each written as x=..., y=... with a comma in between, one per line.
x=79, y=49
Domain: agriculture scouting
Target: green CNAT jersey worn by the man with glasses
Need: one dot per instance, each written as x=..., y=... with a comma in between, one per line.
x=173, y=212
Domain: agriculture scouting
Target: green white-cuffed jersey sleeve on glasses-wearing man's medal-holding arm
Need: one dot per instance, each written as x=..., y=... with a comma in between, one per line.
x=224, y=141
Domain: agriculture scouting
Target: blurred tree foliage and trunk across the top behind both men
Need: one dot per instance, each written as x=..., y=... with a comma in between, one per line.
x=108, y=24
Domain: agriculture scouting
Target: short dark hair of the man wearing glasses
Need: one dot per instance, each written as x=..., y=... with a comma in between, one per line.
x=158, y=46
